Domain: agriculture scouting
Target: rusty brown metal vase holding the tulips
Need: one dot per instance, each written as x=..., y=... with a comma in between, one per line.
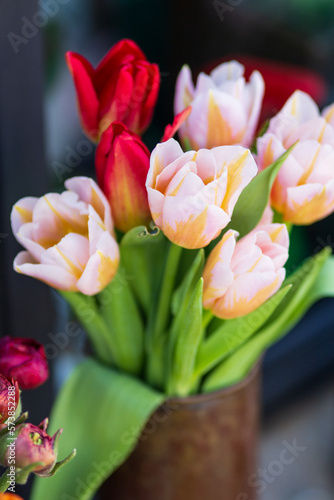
x=198, y=448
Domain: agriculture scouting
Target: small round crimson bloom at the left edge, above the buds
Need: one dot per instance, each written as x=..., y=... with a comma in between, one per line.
x=23, y=360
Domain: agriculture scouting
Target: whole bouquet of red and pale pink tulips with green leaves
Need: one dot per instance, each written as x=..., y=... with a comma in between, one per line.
x=173, y=261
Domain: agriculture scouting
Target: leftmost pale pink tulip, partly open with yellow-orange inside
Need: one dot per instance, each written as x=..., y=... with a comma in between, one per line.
x=68, y=237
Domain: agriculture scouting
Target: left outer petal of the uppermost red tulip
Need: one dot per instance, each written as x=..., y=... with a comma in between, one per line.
x=83, y=75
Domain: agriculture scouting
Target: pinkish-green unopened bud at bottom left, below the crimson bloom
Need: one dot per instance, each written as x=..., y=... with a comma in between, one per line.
x=35, y=451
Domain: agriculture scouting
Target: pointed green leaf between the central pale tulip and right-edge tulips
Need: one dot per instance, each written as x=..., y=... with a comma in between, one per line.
x=254, y=198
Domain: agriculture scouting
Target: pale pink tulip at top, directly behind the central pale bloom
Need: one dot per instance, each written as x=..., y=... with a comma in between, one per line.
x=225, y=109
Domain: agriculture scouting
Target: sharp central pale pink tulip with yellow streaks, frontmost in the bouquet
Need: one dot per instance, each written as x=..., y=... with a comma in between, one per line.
x=192, y=195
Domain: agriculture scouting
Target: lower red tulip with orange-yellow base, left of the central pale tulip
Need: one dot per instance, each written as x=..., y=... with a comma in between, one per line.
x=122, y=162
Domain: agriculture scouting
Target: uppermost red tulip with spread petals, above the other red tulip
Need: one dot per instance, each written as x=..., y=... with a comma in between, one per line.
x=123, y=87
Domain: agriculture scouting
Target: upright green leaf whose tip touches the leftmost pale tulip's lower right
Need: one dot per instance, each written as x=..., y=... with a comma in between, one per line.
x=121, y=315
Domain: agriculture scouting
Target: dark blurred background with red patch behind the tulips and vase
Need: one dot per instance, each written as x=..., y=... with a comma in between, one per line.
x=41, y=144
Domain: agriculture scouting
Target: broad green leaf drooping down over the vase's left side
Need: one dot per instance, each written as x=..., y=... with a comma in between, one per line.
x=102, y=413
